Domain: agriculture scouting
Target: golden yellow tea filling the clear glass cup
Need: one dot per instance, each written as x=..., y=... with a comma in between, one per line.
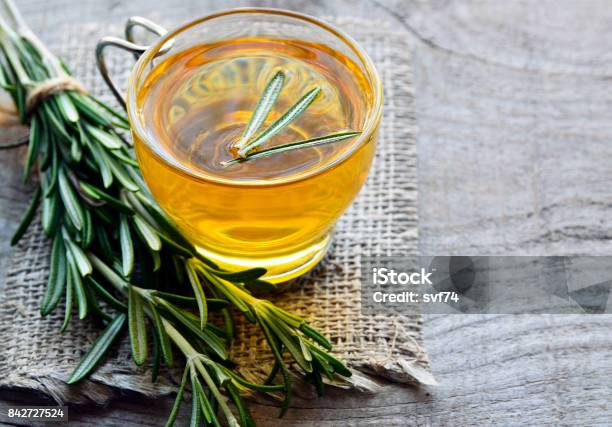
x=275, y=212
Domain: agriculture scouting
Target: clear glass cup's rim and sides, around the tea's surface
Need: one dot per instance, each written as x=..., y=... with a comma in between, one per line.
x=283, y=224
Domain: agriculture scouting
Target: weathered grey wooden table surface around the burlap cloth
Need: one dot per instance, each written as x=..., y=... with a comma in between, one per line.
x=514, y=106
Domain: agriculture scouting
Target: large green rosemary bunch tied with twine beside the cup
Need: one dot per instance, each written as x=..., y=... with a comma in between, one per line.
x=104, y=226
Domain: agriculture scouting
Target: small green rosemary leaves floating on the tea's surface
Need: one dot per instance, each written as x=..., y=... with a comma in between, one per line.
x=247, y=144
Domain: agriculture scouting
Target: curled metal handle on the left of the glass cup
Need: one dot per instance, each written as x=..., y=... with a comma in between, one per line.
x=127, y=44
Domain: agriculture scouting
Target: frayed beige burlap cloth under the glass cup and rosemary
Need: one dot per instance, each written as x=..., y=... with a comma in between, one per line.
x=383, y=221
